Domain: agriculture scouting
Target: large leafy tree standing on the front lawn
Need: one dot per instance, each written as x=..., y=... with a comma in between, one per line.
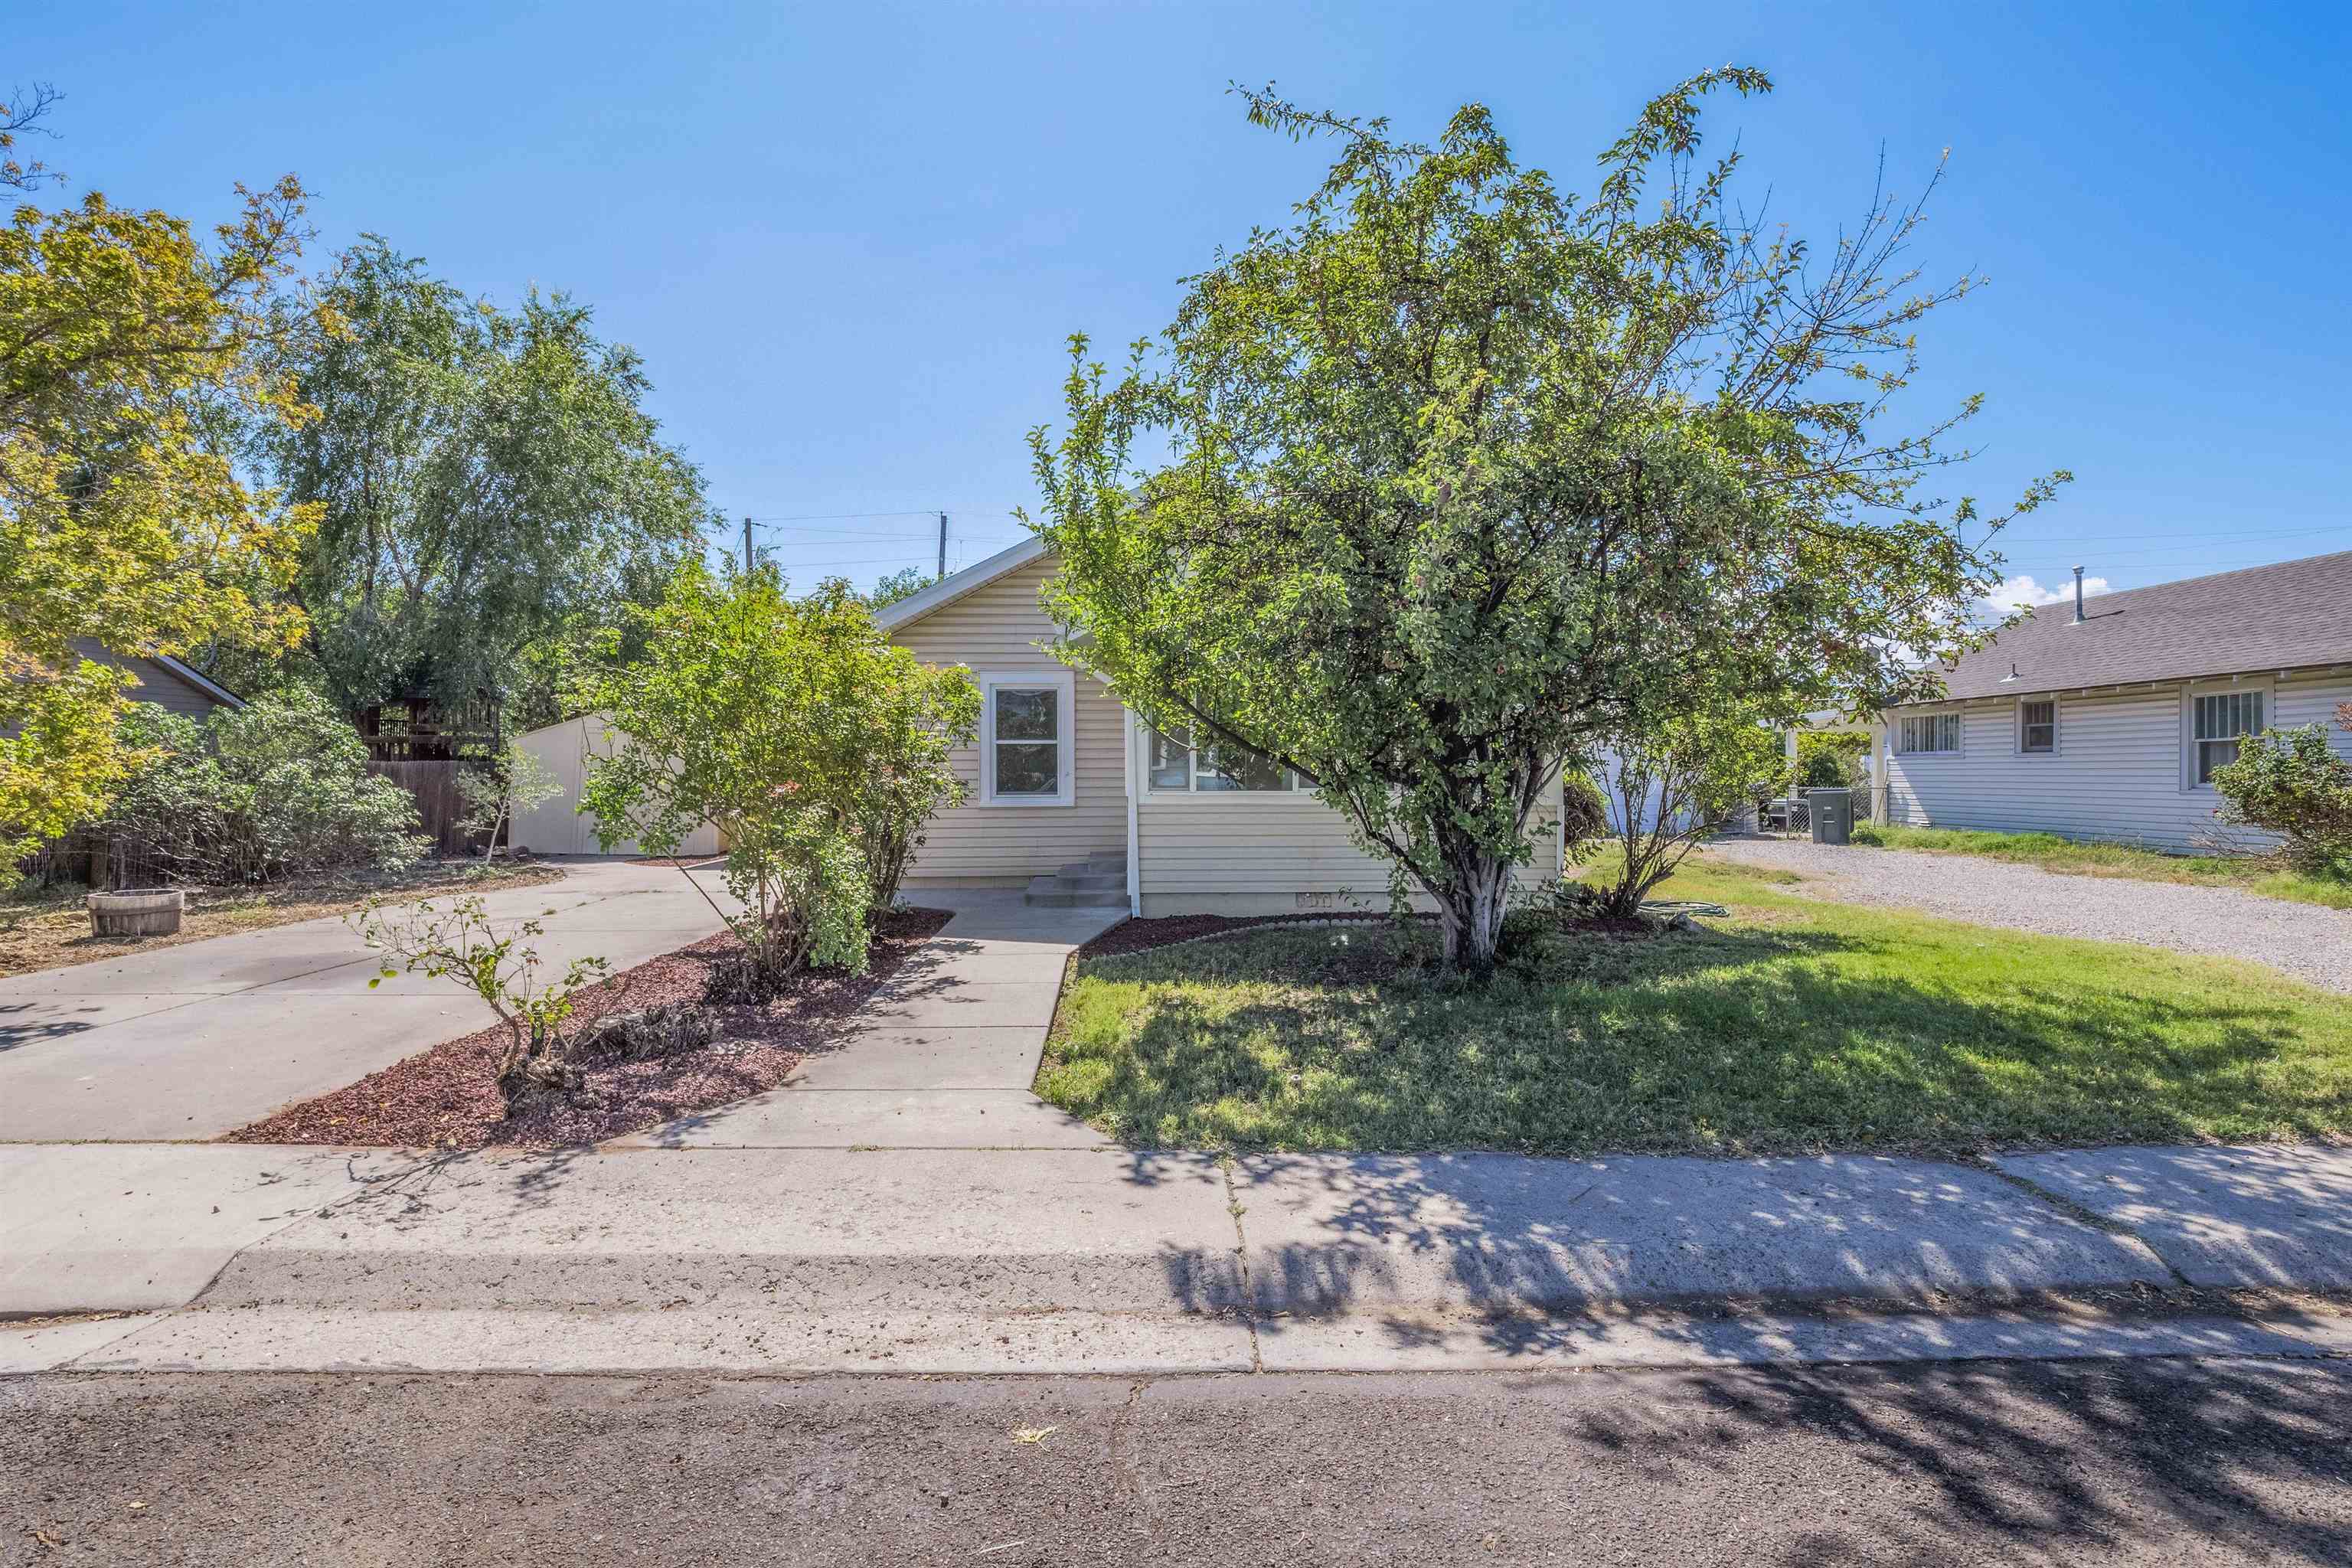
x=1462, y=474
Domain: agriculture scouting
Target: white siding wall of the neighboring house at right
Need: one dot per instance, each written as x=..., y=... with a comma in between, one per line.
x=2118, y=772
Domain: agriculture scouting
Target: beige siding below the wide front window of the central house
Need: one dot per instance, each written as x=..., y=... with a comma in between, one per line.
x=1271, y=855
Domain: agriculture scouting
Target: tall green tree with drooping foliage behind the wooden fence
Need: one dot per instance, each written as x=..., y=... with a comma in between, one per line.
x=490, y=490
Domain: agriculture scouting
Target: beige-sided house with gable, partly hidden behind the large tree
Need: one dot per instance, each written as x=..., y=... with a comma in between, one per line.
x=1078, y=803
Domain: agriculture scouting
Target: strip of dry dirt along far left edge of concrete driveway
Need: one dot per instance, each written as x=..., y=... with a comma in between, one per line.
x=53, y=930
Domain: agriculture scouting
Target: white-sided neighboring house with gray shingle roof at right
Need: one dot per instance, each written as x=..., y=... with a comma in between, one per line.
x=2106, y=718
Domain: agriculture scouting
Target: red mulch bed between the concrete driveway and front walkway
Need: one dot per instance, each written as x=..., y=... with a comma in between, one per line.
x=446, y=1099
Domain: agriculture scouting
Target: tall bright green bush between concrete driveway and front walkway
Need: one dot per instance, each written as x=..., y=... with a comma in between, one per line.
x=794, y=728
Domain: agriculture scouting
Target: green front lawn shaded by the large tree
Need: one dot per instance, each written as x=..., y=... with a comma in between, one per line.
x=1793, y=1026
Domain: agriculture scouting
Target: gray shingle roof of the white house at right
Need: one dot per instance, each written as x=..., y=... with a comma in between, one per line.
x=2231, y=624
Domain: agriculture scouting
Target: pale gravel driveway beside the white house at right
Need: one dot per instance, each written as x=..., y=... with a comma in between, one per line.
x=2308, y=942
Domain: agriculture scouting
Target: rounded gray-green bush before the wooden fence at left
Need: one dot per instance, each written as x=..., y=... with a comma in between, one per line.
x=260, y=793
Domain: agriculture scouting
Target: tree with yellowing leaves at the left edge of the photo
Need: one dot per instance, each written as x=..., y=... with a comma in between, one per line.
x=128, y=347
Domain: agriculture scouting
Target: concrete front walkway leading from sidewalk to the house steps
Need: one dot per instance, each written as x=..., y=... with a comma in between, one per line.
x=944, y=1054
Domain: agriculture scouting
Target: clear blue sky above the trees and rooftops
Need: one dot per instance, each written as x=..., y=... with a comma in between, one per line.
x=853, y=239
